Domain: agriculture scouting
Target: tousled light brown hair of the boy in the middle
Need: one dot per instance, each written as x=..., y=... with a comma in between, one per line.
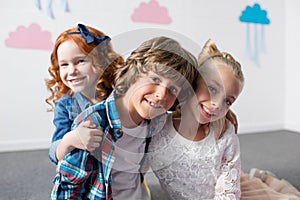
x=163, y=56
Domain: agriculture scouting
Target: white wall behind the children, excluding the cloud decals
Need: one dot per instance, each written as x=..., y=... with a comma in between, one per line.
x=263, y=105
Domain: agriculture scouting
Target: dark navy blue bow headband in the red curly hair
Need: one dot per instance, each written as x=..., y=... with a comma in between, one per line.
x=90, y=38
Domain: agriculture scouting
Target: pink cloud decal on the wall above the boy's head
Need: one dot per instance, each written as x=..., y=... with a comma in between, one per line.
x=151, y=13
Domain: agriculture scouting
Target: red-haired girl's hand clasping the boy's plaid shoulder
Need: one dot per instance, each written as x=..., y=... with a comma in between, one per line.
x=90, y=137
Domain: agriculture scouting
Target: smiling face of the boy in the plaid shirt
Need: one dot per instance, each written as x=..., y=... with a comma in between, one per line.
x=151, y=95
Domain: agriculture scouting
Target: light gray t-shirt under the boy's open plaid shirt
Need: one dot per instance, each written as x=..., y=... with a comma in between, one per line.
x=126, y=178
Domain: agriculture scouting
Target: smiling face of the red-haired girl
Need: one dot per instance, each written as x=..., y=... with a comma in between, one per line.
x=76, y=69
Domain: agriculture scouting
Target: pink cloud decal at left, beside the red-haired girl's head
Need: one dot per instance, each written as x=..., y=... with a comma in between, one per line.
x=30, y=38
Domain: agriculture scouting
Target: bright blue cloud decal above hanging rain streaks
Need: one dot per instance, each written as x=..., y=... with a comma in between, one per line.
x=254, y=15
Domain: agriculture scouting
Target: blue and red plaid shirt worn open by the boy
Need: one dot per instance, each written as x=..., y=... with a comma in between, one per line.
x=80, y=175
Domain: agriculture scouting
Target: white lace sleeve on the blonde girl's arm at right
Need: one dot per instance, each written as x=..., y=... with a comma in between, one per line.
x=228, y=182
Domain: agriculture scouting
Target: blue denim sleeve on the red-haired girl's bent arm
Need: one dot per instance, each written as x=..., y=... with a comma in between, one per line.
x=62, y=121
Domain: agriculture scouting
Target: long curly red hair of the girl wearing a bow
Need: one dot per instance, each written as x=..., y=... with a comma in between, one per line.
x=107, y=59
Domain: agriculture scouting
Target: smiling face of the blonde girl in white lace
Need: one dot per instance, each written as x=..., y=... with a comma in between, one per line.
x=217, y=90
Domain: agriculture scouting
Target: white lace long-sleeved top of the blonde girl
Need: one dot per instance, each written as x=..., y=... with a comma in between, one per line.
x=206, y=169
